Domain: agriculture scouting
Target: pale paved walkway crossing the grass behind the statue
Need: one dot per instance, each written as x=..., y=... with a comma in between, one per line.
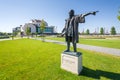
x=106, y=50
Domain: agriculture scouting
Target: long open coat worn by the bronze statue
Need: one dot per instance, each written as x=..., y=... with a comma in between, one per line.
x=71, y=28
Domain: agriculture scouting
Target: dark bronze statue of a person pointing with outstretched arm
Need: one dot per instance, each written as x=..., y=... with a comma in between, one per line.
x=71, y=28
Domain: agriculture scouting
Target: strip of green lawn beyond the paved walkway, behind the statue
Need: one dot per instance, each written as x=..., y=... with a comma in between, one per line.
x=112, y=43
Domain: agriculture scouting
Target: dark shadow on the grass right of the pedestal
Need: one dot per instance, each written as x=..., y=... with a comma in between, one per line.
x=96, y=74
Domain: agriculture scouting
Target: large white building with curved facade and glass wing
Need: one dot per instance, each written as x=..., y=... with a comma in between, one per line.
x=34, y=26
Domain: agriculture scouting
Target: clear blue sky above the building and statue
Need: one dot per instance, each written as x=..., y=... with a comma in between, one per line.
x=14, y=13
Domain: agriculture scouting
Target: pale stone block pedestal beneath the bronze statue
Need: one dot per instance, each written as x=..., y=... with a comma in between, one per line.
x=72, y=62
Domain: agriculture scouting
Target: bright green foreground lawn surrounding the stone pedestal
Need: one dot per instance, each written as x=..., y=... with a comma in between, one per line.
x=27, y=59
